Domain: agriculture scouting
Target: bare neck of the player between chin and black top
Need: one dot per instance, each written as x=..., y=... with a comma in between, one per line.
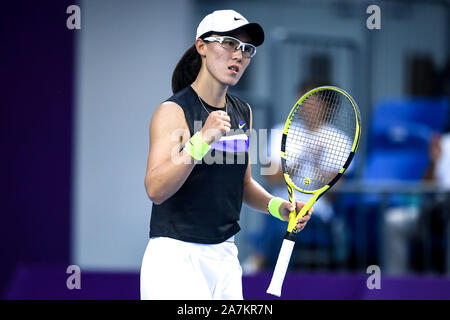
x=210, y=90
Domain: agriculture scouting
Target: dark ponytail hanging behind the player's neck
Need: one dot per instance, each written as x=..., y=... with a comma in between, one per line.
x=186, y=70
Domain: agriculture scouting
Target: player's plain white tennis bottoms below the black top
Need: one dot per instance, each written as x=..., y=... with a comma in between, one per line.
x=177, y=270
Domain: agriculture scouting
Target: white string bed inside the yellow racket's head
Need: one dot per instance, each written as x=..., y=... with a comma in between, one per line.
x=319, y=139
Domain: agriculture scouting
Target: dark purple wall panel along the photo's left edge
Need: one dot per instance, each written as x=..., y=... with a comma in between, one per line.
x=36, y=135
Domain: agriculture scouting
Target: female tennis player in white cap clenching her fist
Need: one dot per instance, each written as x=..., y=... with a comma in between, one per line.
x=198, y=170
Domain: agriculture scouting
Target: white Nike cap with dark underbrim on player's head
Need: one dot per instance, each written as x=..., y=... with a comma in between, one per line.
x=223, y=22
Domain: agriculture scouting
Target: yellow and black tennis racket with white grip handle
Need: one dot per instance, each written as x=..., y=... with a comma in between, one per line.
x=319, y=140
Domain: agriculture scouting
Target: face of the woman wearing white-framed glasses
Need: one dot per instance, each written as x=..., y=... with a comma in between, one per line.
x=224, y=65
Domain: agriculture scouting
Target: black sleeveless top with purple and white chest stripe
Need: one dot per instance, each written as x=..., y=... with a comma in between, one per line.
x=207, y=207
